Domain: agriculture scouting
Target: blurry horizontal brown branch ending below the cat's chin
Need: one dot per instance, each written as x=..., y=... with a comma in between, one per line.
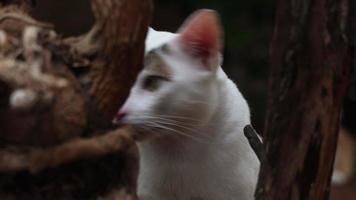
x=37, y=159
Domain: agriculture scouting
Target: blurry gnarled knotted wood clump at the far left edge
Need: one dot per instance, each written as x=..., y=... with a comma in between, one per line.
x=38, y=87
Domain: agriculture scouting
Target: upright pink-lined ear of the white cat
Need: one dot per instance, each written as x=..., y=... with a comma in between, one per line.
x=201, y=37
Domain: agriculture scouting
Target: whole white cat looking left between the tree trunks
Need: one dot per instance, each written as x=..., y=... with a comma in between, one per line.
x=195, y=116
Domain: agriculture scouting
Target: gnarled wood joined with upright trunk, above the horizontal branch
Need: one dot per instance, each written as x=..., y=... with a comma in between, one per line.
x=115, y=42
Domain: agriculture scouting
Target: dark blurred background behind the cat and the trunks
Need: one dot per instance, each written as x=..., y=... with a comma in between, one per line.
x=248, y=27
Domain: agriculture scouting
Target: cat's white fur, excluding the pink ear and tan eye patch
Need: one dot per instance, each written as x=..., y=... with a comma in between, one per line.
x=214, y=161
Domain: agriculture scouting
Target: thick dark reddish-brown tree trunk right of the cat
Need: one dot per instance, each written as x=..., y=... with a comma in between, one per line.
x=311, y=63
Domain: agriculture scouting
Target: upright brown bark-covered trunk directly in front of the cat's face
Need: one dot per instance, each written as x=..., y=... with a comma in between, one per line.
x=121, y=58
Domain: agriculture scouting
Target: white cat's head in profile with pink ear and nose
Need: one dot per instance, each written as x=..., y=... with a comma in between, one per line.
x=178, y=84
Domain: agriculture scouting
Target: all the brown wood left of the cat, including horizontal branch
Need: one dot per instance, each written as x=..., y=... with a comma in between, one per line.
x=57, y=99
